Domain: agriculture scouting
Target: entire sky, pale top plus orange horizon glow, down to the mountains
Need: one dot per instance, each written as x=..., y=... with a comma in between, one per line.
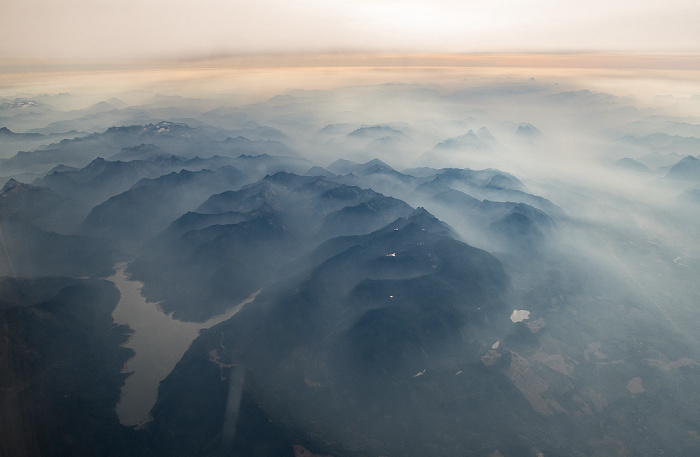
x=266, y=47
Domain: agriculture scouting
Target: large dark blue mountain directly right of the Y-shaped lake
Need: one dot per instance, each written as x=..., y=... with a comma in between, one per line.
x=330, y=356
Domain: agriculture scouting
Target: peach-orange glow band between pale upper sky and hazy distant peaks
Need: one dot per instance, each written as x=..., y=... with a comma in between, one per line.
x=258, y=76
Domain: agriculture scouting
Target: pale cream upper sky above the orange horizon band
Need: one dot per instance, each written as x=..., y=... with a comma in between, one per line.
x=125, y=30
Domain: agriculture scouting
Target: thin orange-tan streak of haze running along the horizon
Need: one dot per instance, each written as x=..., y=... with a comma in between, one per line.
x=572, y=59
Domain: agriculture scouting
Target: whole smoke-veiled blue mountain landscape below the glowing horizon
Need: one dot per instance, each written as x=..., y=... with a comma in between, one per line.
x=357, y=263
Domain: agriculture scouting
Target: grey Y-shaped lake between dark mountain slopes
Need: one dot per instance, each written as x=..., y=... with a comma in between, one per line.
x=158, y=341
